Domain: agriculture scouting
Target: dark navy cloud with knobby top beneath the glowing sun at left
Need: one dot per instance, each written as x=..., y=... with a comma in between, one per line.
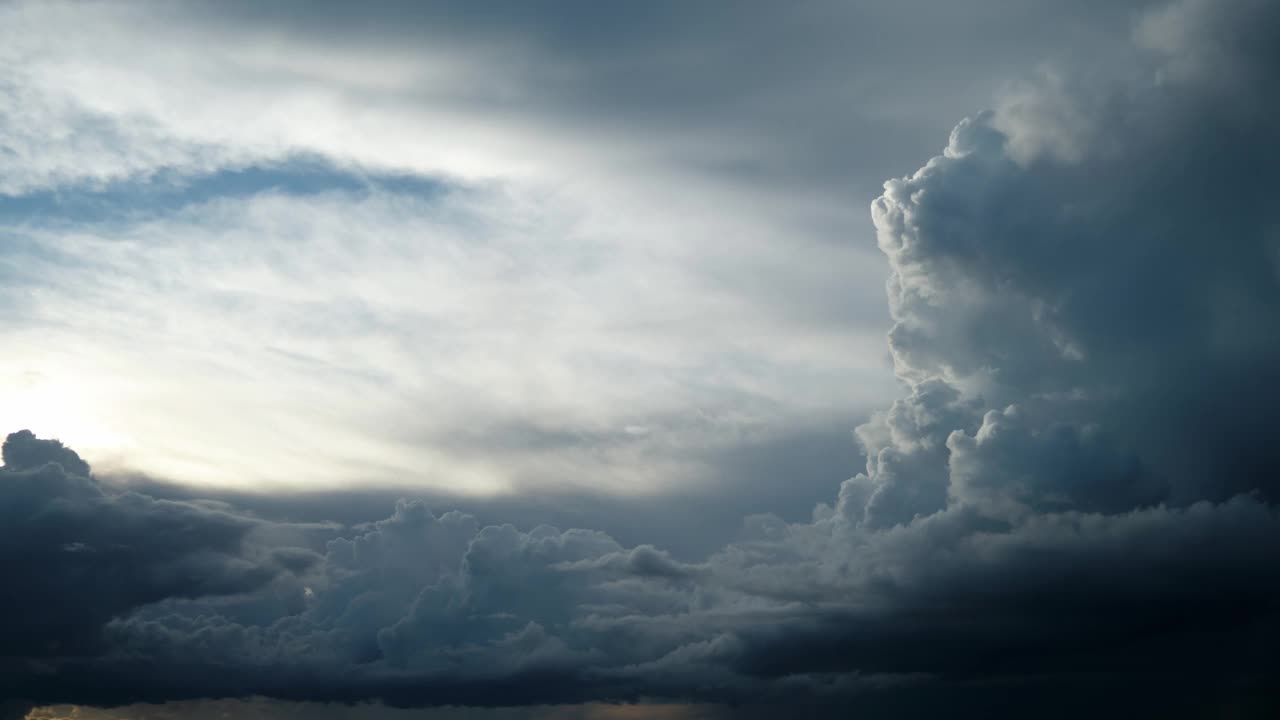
x=75, y=557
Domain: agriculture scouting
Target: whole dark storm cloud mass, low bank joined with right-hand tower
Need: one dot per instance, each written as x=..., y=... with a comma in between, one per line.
x=1072, y=509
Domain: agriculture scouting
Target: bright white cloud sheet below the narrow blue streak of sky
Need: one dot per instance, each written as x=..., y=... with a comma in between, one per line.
x=369, y=306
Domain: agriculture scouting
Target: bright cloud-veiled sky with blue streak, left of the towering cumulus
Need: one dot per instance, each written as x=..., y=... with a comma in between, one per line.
x=446, y=253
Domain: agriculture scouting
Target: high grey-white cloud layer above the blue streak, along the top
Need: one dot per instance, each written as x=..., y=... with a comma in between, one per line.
x=661, y=90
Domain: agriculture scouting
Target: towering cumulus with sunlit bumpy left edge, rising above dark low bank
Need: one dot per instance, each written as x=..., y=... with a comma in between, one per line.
x=1099, y=271
